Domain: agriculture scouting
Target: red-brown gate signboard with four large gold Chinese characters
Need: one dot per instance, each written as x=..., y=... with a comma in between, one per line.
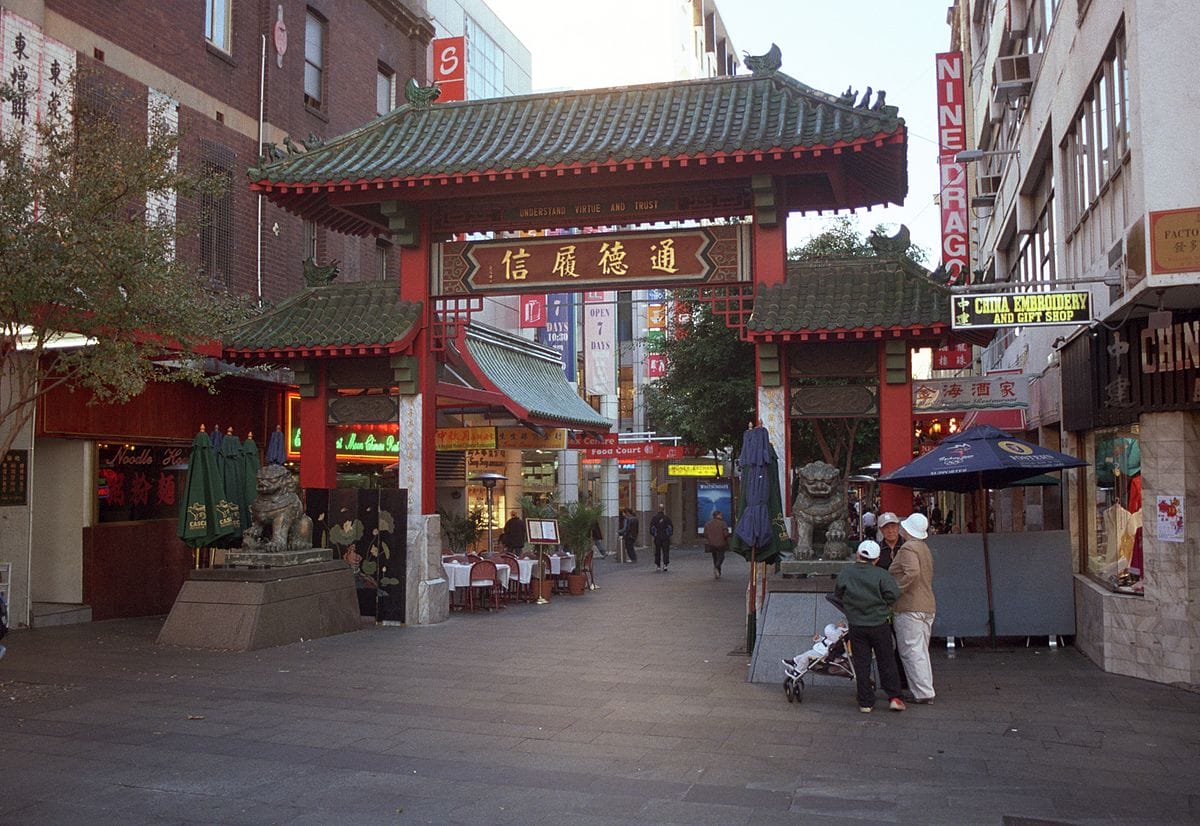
x=604, y=261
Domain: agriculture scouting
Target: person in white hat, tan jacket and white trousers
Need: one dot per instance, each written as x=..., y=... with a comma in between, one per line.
x=914, y=571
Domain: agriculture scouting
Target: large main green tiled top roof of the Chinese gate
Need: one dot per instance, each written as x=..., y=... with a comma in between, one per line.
x=764, y=124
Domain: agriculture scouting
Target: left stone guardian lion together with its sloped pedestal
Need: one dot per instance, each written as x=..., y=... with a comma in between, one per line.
x=277, y=590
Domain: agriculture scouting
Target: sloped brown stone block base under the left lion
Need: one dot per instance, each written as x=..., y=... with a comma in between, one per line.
x=243, y=610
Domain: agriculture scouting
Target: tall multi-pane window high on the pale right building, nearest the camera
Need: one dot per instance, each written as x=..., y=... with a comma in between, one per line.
x=1099, y=141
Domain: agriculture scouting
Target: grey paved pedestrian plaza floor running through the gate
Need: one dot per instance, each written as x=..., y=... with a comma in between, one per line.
x=626, y=705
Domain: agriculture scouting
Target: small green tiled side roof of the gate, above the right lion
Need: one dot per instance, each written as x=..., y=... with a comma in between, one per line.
x=860, y=295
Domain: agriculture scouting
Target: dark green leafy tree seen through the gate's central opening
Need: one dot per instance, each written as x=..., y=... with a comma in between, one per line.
x=709, y=393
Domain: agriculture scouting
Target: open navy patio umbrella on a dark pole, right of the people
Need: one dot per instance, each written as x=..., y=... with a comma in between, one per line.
x=976, y=460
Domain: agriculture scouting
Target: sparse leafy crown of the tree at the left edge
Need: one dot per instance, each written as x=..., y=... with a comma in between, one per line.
x=93, y=296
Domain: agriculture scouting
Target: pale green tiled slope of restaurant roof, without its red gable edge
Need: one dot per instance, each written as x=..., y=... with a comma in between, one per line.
x=532, y=376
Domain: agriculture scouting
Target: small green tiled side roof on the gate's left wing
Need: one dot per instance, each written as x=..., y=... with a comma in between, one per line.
x=363, y=319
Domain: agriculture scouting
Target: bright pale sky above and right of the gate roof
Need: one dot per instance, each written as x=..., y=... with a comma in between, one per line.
x=880, y=44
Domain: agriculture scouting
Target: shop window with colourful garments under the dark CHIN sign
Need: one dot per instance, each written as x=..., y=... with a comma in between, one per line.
x=1118, y=558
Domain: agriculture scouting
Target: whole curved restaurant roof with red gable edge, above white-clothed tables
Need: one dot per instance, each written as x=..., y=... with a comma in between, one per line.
x=489, y=368
